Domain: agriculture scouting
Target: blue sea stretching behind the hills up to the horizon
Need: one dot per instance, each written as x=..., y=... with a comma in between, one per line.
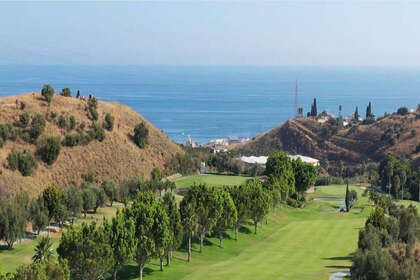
x=210, y=102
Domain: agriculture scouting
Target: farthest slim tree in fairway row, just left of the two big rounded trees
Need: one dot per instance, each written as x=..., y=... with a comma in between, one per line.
x=259, y=202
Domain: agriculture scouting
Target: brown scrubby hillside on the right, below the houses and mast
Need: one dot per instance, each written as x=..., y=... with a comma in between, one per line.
x=392, y=134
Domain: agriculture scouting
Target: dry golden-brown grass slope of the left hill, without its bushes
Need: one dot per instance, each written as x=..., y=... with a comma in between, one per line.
x=117, y=157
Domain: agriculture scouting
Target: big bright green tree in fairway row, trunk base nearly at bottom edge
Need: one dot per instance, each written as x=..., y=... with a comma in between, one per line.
x=151, y=228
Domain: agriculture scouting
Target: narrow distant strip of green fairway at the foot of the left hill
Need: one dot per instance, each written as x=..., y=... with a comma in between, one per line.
x=211, y=180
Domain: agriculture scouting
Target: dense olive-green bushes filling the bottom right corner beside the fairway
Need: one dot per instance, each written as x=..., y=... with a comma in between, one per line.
x=388, y=245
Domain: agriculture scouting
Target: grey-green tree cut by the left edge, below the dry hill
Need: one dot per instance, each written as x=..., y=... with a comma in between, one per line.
x=12, y=222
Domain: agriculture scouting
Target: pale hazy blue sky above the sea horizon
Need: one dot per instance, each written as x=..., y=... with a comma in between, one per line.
x=318, y=33
